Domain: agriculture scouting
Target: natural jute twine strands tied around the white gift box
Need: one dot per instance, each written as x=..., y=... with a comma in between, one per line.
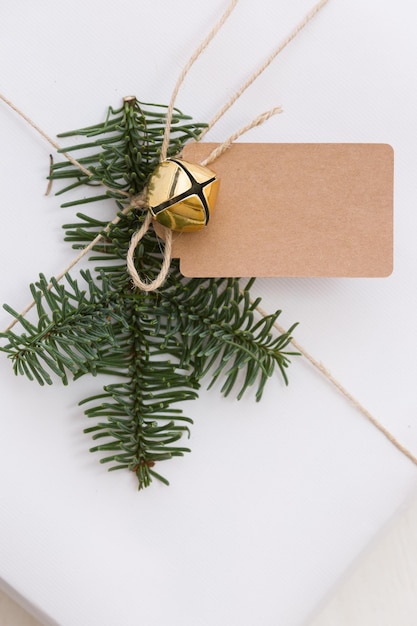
x=138, y=202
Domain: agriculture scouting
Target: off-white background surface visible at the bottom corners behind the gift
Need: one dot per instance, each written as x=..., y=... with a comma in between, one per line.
x=382, y=590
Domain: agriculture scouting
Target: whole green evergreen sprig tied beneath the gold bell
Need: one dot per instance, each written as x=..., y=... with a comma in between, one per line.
x=158, y=346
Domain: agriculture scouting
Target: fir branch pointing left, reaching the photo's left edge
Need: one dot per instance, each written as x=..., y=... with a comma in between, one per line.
x=71, y=325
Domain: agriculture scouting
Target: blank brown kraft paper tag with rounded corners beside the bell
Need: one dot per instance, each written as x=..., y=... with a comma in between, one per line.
x=295, y=210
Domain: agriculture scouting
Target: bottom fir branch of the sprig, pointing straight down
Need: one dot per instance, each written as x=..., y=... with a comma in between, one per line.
x=141, y=426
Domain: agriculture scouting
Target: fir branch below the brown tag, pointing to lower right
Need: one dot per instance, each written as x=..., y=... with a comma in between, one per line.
x=220, y=332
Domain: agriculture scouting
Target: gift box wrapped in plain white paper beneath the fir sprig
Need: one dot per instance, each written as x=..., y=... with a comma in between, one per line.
x=280, y=497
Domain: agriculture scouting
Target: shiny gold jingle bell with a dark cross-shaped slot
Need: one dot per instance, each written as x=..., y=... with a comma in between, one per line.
x=180, y=195
